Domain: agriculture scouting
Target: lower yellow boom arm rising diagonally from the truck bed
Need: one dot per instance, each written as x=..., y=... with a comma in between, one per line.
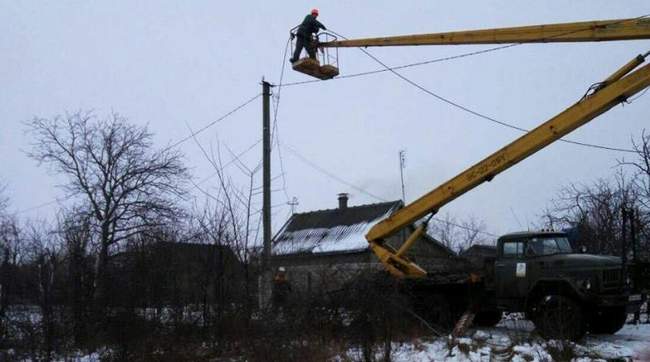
x=622, y=84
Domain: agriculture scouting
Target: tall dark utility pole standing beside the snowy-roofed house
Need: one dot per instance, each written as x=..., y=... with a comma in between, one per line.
x=266, y=185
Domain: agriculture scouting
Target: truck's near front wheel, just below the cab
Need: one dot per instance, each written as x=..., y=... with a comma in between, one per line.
x=559, y=317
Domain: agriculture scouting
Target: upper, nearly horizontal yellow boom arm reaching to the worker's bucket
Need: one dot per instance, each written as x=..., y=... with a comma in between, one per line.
x=602, y=30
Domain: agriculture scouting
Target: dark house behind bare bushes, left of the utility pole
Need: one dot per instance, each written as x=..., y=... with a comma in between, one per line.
x=175, y=273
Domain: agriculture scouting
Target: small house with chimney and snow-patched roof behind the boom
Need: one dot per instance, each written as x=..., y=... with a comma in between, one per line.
x=322, y=250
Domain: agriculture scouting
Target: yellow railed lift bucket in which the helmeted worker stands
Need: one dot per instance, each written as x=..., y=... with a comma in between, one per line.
x=325, y=65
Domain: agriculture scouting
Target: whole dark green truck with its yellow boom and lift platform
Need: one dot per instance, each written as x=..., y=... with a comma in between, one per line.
x=563, y=292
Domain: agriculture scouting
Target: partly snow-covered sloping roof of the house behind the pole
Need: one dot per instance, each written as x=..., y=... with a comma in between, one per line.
x=334, y=230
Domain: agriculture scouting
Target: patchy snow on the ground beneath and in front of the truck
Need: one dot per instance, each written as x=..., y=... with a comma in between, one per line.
x=513, y=340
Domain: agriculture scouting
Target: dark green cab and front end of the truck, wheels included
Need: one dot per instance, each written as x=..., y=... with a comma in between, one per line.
x=560, y=290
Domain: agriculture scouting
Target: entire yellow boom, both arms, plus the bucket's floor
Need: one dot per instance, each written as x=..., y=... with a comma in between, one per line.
x=614, y=90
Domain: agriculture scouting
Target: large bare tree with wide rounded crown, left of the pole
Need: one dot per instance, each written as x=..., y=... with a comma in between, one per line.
x=111, y=166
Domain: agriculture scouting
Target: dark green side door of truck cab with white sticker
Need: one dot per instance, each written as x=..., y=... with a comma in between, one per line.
x=511, y=270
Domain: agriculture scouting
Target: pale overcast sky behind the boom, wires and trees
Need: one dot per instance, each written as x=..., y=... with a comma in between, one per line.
x=167, y=64
